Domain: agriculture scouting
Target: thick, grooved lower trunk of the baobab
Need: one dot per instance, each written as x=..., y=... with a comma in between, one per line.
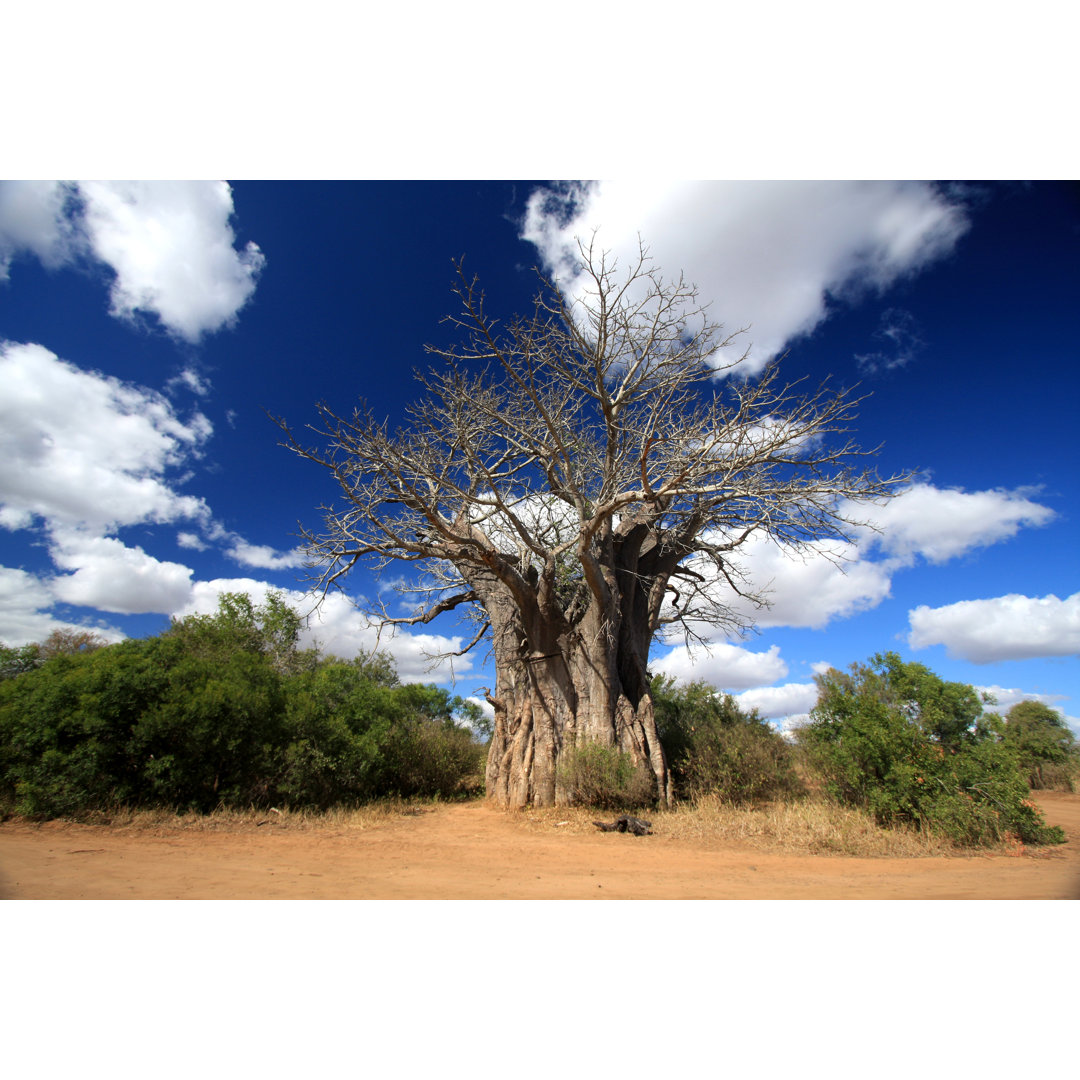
x=576, y=690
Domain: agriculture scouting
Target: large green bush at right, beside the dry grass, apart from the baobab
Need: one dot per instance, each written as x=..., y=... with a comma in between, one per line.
x=883, y=738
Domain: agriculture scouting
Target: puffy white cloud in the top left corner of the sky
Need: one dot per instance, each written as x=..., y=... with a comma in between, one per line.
x=169, y=245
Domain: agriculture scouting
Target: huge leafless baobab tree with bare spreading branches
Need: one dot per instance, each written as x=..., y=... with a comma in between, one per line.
x=577, y=483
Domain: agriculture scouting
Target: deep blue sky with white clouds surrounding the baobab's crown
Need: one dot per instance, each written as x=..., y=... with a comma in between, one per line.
x=147, y=330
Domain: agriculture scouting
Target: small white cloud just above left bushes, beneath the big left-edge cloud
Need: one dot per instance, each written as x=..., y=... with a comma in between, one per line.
x=112, y=577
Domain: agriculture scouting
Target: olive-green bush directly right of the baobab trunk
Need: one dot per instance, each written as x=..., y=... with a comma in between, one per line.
x=715, y=748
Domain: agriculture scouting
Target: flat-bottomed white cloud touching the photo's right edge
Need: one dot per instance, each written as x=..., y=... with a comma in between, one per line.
x=1004, y=628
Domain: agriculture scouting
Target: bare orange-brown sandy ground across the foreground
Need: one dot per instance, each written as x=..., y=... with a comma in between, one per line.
x=471, y=852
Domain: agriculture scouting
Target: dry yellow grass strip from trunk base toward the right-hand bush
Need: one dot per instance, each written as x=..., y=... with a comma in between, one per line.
x=807, y=828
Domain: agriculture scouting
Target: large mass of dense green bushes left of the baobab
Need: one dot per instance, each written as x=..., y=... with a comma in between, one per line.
x=225, y=710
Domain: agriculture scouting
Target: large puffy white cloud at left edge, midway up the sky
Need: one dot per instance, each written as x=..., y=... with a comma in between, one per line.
x=83, y=449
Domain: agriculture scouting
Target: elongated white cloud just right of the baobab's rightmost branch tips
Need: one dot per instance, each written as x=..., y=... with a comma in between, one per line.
x=941, y=524
